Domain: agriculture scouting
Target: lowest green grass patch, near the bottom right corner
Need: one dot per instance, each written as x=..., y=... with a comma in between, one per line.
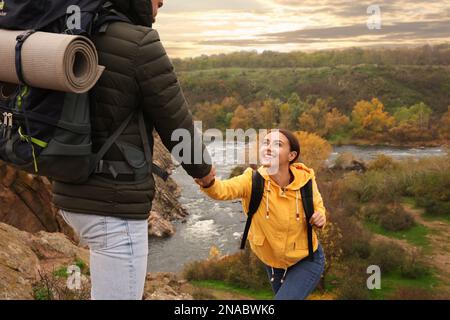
x=393, y=281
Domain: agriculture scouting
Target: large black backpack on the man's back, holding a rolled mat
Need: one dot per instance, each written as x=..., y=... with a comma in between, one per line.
x=48, y=132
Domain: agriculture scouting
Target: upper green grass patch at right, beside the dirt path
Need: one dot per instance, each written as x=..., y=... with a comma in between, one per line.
x=417, y=235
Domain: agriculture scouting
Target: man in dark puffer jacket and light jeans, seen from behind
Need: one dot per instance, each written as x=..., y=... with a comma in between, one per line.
x=110, y=211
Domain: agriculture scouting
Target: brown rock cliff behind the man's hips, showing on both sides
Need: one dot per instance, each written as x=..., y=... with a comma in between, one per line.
x=25, y=200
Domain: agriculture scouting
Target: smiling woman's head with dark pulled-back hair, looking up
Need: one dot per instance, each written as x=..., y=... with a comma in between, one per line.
x=276, y=151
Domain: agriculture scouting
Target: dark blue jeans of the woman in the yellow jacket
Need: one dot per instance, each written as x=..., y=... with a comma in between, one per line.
x=301, y=279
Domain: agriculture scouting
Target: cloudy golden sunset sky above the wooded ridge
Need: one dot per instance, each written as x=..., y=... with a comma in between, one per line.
x=190, y=28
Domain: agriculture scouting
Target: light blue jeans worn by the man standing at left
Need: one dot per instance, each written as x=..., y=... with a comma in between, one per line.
x=118, y=254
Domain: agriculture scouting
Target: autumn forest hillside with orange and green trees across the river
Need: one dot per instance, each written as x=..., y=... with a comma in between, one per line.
x=350, y=96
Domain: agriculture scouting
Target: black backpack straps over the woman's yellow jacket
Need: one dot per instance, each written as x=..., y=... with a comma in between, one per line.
x=255, y=201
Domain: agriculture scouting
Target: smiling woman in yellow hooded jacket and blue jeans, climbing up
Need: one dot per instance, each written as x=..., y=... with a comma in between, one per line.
x=278, y=233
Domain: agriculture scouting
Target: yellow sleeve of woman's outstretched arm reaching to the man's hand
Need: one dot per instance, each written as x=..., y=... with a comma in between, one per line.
x=235, y=188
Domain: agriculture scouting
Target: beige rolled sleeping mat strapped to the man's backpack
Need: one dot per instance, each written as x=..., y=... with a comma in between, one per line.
x=51, y=61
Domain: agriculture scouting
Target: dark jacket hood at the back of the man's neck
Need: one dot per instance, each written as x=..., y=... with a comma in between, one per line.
x=139, y=11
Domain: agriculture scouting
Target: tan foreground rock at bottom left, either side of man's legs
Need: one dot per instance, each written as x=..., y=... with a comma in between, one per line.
x=31, y=265
